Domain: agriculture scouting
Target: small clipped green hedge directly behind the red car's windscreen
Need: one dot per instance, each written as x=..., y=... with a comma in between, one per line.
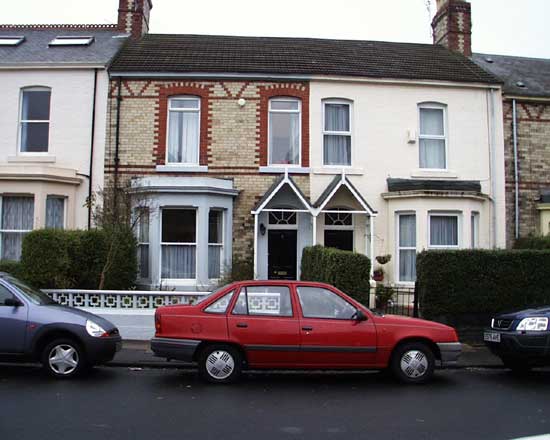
x=348, y=271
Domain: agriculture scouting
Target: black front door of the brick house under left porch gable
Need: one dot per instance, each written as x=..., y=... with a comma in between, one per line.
x=281, y=260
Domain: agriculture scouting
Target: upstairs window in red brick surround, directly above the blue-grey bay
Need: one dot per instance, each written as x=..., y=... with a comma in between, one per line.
x=183, y=130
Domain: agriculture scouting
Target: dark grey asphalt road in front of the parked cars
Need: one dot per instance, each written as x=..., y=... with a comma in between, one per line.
x=163, y=404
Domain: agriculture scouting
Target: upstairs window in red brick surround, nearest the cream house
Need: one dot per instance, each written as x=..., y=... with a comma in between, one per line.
x=284, y=131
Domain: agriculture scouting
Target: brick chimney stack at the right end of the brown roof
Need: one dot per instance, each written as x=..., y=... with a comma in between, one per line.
x=452, y=26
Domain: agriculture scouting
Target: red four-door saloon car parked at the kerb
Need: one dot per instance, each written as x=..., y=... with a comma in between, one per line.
x=298, y=325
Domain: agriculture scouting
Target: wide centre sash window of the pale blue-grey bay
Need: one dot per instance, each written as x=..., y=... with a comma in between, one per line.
x=178, y=243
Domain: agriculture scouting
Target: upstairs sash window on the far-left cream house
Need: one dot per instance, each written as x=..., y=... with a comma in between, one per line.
x=35, y=120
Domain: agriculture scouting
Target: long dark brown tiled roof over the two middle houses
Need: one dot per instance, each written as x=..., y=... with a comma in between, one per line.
x=175, y=53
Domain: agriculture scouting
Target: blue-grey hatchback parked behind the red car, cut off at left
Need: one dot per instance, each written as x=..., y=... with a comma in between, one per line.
x=65, y=340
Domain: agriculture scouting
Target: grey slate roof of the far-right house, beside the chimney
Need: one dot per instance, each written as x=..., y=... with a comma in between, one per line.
x=534, y=73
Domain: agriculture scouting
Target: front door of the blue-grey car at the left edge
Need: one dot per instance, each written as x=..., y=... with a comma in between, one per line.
x=13, y=324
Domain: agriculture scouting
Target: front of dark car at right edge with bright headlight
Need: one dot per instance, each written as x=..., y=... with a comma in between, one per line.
x=521, y=339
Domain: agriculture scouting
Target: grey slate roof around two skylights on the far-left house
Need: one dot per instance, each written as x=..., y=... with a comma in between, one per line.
x=35, y=49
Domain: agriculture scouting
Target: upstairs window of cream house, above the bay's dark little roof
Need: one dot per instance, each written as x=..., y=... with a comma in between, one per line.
x=433, y=139
